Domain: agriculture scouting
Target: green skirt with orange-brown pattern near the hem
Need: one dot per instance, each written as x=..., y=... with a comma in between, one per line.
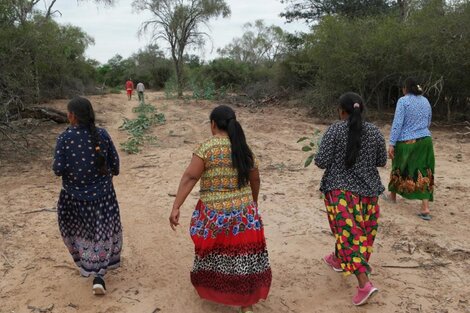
x=412, y=174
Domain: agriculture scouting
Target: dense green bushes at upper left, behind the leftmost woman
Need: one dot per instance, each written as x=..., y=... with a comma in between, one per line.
x=39, y=59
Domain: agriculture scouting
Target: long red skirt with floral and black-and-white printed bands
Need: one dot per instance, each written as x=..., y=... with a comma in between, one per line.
x=231, y=265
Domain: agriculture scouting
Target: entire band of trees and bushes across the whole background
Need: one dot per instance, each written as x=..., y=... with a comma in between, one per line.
x=365, y=46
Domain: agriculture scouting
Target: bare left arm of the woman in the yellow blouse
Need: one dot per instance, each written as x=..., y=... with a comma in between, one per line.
x=188, y=180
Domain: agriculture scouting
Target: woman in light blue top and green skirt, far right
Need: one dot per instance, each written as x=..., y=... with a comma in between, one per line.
x=411, y=149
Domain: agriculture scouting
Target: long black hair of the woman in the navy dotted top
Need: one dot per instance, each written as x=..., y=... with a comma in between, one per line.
x=83, y=111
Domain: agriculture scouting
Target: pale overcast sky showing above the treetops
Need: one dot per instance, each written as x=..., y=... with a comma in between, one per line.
x=114, y=29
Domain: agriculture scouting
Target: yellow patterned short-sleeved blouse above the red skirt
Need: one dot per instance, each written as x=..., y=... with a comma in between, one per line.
x=219, y=181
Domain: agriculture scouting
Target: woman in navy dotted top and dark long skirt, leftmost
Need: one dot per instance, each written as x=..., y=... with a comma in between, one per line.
x=88, y=211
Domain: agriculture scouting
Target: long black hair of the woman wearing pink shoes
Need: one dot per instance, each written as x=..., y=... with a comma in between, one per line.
x=352, y=104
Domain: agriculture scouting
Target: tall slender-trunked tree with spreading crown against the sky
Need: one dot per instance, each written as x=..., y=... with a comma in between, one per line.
x=179, y=23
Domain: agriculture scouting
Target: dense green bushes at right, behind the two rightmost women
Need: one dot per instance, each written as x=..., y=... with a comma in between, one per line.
x=373, y=55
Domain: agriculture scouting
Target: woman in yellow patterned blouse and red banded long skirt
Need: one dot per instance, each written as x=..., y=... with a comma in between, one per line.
x=231, y=264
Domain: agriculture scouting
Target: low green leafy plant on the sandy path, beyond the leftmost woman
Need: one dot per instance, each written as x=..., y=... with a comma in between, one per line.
x=137, y=128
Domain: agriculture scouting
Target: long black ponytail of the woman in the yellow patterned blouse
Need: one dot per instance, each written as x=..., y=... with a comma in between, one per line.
x=242, y=157
